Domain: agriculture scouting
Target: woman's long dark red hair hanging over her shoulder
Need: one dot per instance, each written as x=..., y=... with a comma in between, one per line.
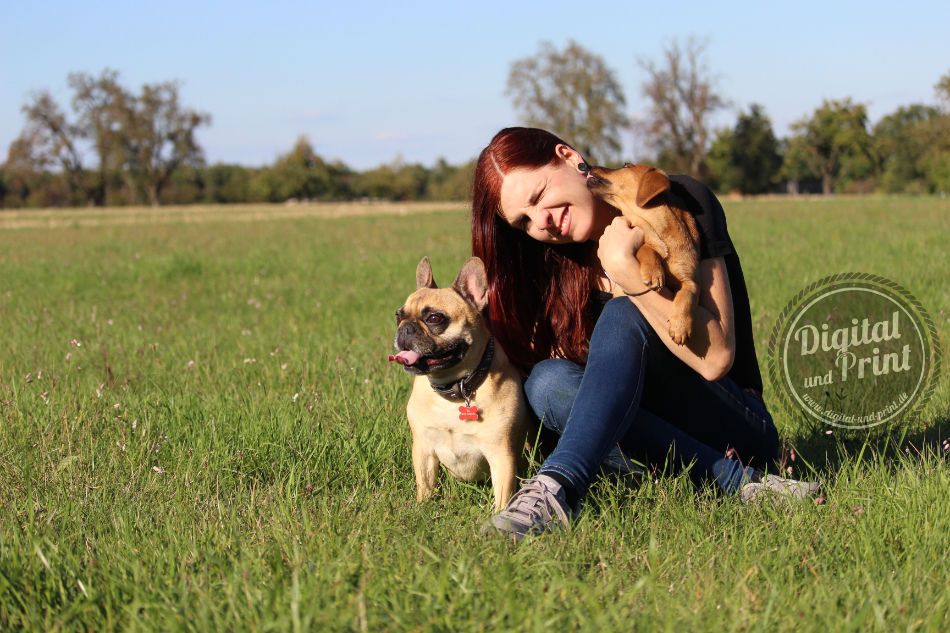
x=537, y=293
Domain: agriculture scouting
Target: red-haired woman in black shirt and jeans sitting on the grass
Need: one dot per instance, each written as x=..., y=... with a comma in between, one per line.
x=603, y=372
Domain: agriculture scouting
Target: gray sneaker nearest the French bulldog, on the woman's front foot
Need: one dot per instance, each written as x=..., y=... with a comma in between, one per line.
x=538, y=506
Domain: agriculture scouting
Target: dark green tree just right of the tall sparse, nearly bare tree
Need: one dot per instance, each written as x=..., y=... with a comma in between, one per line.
x=746, y=157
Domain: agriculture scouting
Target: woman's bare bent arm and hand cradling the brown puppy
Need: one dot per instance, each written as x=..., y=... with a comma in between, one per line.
x=710, y=349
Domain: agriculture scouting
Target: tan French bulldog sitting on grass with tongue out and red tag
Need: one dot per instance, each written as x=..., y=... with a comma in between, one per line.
x=467, y=409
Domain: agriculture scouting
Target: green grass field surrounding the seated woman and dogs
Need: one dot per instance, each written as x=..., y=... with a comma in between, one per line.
x=200, y=431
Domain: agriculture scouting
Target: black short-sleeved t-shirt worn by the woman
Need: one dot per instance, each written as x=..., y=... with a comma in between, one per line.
x=715, y=242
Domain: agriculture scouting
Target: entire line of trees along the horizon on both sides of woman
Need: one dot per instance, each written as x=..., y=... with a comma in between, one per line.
x=114, y=146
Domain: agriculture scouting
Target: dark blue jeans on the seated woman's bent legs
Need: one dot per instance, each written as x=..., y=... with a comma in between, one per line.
x=635, y=399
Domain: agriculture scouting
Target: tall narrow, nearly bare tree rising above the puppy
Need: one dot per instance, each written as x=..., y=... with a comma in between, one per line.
x=682, y=97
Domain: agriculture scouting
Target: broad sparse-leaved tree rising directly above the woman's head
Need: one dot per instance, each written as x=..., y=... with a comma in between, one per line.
x=574, y=94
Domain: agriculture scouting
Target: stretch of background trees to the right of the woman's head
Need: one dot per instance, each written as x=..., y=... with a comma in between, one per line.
x=835, y=148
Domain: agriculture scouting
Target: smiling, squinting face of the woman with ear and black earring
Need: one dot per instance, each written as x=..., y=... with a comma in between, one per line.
x=552, y=203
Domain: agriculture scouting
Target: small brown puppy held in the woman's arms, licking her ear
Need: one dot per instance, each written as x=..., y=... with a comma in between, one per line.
x=670, y=235
